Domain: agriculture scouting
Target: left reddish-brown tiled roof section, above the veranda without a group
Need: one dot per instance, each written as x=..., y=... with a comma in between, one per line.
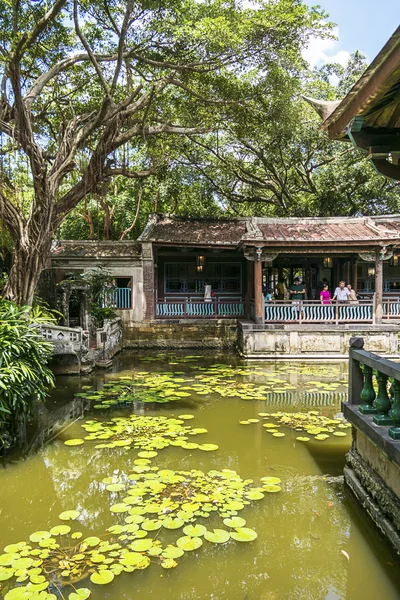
x=196, y=231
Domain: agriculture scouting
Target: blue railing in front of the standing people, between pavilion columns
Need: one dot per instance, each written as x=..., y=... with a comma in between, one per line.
x=312, y=311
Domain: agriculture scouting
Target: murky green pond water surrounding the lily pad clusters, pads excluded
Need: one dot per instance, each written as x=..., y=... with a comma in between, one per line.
x=313, y=541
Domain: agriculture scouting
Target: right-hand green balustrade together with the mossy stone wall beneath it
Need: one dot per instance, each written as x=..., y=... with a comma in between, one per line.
x=372, y=470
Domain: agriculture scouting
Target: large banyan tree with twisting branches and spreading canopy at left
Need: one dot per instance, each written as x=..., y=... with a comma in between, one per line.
x=84, y=85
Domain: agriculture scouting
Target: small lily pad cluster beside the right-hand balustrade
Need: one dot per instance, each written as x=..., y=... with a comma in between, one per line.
x=312, y=422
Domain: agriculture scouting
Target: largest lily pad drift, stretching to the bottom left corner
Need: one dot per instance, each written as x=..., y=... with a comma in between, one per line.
x=156, y=499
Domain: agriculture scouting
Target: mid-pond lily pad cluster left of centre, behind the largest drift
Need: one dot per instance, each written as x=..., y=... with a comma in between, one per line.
x=147, y=433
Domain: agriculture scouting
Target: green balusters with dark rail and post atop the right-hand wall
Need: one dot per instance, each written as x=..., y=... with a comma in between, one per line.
x=384, y=406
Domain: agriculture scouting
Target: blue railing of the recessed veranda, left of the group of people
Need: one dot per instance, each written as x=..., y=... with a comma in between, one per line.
x=198, y=309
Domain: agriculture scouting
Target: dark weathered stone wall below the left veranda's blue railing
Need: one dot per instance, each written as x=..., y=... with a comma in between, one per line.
x=181, y=334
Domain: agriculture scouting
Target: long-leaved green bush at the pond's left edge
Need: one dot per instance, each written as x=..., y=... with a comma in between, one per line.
x=24, y=375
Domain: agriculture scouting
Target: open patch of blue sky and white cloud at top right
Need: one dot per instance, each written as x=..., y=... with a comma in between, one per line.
x=363, y=25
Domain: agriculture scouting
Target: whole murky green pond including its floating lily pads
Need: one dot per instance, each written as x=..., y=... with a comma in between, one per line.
x=252, y=449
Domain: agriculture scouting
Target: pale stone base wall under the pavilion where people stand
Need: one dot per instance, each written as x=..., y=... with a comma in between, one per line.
x=267, y=340
